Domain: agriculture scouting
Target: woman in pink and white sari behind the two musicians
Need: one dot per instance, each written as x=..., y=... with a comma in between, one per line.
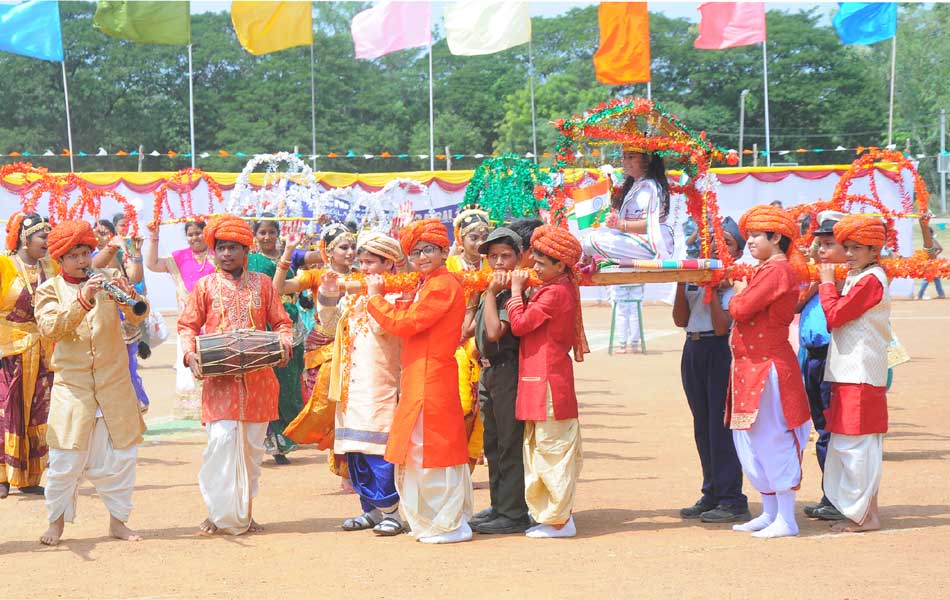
x=186, y=267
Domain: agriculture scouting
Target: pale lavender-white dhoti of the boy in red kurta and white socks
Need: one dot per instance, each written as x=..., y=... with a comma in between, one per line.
x=771, y=453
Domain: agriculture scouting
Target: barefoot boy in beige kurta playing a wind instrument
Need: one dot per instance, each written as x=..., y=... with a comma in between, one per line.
x=94, y=425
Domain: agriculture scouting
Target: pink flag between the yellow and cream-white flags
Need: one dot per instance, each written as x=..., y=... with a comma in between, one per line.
x=391, y=26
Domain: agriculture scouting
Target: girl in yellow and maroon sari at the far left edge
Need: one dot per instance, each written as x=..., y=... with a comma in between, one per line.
x=25, y=378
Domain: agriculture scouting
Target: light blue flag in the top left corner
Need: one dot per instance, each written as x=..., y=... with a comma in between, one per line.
x=32, y=29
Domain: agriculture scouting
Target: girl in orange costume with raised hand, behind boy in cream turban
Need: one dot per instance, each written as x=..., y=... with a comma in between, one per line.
x=315, y=423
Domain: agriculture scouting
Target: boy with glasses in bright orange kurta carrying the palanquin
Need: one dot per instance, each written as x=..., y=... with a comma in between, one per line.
x=427, y=442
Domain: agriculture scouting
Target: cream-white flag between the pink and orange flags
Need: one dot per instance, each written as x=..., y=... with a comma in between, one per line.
x=475, y=27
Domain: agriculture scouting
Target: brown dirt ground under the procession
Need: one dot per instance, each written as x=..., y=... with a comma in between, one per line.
x=640, y=468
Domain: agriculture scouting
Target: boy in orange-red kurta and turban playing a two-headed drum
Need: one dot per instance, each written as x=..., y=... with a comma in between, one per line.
x=234, y=409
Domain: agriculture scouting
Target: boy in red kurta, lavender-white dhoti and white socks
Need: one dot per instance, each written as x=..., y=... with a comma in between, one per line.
x=768, y=409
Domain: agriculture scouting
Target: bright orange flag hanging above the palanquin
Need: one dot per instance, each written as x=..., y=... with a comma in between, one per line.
x=624, y=53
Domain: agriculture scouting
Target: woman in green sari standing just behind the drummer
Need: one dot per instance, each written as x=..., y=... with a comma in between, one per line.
x=265, y=260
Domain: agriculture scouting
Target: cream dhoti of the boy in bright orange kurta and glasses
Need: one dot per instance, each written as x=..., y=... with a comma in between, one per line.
x=433, y=501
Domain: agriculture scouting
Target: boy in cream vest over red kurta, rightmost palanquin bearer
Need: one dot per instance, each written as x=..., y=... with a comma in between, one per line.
x=859, y=321
